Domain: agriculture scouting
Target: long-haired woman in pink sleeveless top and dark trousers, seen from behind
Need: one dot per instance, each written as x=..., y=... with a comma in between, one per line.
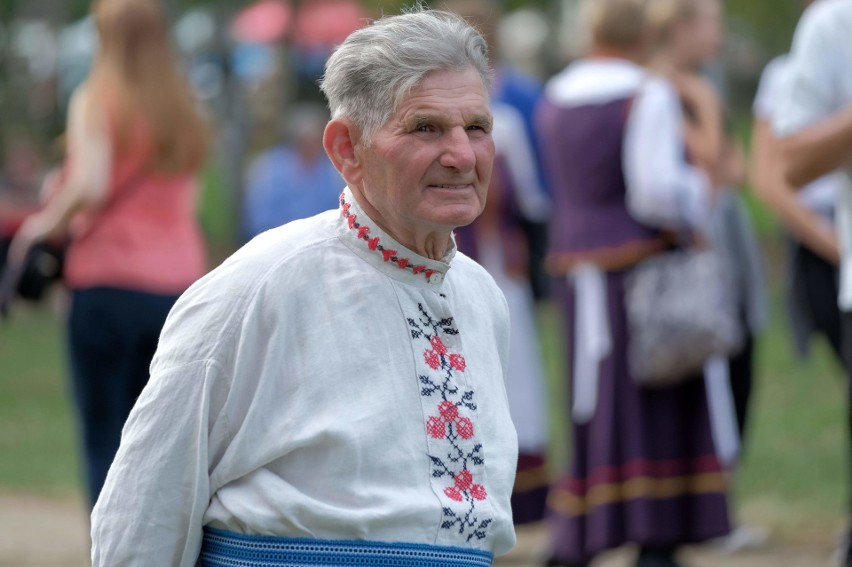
x=126, y=198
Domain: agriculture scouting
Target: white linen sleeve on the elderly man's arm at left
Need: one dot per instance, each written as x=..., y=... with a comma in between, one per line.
x=151, y=509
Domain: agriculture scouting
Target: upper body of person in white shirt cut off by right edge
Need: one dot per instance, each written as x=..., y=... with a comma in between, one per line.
x=814, y=127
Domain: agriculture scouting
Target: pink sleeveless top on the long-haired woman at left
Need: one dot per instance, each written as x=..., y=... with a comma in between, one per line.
x=144, y=236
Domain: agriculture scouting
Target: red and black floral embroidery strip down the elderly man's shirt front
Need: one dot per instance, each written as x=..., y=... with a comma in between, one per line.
x=450, y=428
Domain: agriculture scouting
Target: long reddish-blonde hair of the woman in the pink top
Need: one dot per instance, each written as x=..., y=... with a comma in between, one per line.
x=137, y=71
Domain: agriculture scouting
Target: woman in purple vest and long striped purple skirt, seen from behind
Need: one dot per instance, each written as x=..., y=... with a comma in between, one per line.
x=644, y=469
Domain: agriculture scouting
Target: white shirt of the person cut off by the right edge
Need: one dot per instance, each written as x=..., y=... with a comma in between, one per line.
x=817, y=84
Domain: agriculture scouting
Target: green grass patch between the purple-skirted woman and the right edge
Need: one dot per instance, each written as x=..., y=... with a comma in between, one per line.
x=795, y=473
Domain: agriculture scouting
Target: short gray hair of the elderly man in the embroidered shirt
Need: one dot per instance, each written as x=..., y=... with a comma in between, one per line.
x=369, y=74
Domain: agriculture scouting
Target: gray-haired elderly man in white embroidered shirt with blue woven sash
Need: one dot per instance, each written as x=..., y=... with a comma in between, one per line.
x=333, y=393
